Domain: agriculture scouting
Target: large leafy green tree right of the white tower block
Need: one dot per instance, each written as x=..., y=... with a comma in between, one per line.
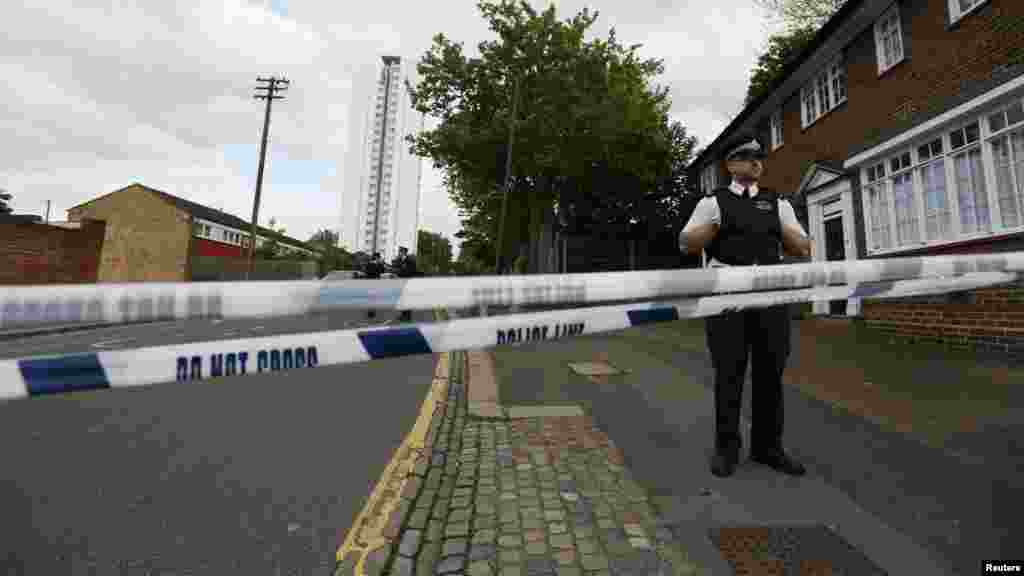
x=592, y=136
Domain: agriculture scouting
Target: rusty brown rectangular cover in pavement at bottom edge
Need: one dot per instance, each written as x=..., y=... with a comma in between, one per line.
x=791, y=551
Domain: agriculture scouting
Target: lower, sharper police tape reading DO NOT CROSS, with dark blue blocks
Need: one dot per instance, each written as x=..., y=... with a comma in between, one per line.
x=46, y=376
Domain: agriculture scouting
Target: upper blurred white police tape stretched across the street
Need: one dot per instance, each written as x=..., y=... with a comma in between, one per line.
x=24, y=307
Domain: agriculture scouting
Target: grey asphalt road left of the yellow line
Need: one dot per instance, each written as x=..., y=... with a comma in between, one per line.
x=257, y=475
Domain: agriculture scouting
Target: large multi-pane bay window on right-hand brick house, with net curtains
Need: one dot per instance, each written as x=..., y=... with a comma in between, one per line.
x=962, y=182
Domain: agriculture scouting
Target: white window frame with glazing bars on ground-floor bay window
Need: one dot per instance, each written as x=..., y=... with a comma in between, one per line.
x=958, y=235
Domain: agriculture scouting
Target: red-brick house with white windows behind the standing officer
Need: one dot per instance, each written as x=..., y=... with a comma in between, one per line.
x=899, y=132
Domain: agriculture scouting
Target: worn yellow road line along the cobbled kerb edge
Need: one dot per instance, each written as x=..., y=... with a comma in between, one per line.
x=367, y=533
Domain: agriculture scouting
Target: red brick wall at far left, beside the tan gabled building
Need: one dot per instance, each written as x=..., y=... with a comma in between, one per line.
x=36, y=254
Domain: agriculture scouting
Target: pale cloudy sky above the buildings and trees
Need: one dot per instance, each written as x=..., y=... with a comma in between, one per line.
x=103, y=94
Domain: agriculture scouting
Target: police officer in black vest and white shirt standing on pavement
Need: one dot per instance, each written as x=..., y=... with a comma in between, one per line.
x=742, y=225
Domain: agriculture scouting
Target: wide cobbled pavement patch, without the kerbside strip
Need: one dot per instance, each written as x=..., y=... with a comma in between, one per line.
x=551, y=497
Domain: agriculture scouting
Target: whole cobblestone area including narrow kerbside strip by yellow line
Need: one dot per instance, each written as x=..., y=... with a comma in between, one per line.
x=523, y=498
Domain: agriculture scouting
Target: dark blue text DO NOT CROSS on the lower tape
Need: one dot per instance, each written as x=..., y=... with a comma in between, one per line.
x=193, y=368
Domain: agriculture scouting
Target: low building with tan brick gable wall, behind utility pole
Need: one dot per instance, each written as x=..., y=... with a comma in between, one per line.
x=157, y=237
